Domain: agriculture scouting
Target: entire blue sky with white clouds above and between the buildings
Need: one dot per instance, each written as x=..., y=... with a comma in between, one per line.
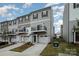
x=9, y=11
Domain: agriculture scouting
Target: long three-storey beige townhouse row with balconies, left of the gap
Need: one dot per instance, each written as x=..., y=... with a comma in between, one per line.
x=35, y=27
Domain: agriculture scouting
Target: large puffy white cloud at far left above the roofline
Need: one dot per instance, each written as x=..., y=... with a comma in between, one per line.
x=5, y=11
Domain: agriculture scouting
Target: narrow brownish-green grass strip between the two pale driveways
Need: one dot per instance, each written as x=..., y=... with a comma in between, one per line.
x=22, y=47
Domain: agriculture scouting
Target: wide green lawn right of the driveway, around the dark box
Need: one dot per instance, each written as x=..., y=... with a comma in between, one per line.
x=51, y=51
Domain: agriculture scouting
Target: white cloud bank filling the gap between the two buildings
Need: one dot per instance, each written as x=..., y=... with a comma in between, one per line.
x=58, y=9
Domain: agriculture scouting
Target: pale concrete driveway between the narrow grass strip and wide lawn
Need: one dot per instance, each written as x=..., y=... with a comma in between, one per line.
x=34, y=50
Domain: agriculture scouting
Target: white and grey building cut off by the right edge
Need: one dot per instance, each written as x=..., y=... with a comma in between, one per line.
x=71, y=22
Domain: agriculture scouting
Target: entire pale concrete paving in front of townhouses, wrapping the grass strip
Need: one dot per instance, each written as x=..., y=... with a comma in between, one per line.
x=32, y=51
